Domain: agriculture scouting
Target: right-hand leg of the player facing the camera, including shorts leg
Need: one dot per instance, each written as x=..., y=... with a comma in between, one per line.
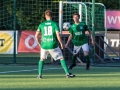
x=85, y=48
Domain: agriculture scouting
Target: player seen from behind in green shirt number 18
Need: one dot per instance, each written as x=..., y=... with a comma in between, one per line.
x=50, y=36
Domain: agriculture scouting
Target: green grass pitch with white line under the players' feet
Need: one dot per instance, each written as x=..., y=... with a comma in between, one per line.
x=24, y=78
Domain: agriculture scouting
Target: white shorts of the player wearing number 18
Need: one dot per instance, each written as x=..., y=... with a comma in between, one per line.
x=55, y=53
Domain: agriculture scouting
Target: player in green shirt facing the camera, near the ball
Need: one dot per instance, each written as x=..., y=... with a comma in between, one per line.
x=77, y=33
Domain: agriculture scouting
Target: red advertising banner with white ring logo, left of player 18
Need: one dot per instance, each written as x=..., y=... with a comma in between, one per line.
x=28, y=42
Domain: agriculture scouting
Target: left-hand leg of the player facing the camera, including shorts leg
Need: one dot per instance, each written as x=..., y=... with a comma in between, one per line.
x=74, y=57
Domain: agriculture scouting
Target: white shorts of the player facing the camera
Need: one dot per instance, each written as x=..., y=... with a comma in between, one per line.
x=76, y=49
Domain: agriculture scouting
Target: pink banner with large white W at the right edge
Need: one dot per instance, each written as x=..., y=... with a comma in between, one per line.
x=113, y=19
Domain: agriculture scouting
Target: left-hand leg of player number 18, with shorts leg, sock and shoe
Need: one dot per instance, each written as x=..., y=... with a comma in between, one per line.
x=41, y=62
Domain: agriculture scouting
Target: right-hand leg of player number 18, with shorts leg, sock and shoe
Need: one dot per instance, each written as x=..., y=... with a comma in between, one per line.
x=57, y=55
